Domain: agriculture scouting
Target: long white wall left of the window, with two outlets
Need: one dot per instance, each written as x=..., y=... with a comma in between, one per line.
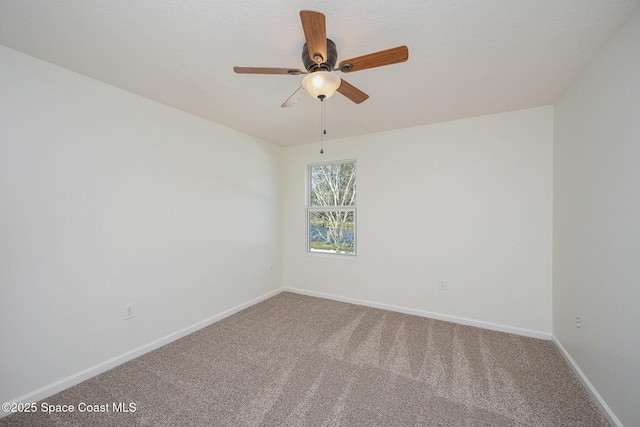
x=107, y=198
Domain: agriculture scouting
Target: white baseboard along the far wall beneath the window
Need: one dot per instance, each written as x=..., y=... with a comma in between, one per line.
x=423, y=313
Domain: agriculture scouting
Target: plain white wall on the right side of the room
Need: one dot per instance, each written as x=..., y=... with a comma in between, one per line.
x=596, y=247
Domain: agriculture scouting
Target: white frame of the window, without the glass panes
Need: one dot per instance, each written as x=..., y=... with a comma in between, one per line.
x=310, y=209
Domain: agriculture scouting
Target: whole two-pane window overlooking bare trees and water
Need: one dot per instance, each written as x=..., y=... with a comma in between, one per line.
x=331, y=208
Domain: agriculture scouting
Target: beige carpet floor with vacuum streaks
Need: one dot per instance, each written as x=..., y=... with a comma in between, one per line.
x=295, y=360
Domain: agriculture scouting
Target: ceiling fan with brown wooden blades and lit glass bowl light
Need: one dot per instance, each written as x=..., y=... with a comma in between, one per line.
x=319, y=56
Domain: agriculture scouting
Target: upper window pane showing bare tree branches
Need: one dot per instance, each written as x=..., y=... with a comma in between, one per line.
x=333, y=184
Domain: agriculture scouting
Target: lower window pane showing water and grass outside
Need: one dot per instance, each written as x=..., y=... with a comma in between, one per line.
x=332, y=232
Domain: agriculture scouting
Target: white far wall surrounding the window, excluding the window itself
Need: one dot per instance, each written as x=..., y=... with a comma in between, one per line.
x=468, y=201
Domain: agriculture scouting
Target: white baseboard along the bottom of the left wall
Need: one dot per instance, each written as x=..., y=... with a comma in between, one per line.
x=77, y=378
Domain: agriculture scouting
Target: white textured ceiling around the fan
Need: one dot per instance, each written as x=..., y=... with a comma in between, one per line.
x=466, y=57
